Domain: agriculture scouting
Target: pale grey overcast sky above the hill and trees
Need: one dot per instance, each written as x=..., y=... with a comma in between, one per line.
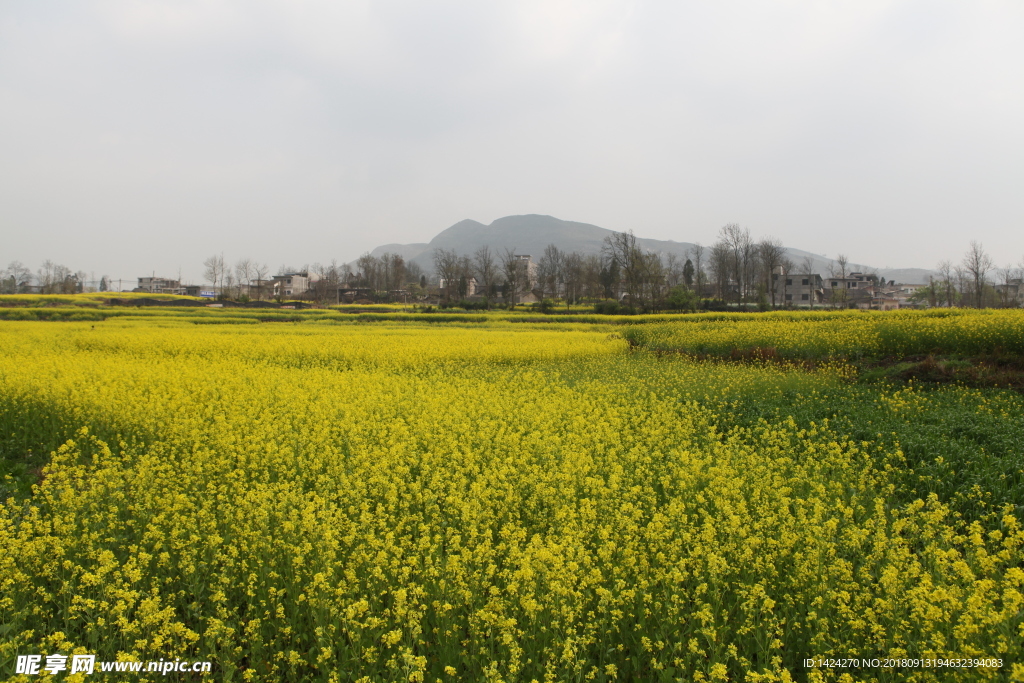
x=144, y=137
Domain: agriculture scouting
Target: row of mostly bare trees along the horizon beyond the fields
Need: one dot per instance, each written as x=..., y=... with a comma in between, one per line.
x=736, y=269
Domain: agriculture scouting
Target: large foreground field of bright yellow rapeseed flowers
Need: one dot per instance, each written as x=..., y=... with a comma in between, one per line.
x=385, y=503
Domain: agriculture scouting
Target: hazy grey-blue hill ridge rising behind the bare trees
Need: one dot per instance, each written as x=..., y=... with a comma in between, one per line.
x=531, y=234
